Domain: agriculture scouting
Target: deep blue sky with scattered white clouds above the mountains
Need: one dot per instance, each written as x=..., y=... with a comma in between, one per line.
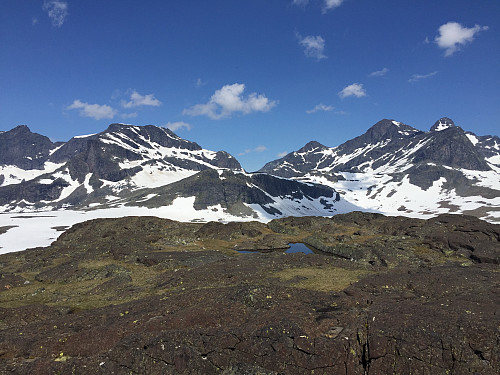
x=256, y=78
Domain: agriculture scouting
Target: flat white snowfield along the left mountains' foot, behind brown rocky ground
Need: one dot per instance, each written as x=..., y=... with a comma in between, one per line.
x=34, y=229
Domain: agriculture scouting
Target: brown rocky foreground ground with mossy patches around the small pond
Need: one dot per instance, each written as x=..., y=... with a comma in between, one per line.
x=388, y=295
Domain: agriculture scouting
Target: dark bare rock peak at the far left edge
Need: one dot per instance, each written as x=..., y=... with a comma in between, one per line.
x=24, y=149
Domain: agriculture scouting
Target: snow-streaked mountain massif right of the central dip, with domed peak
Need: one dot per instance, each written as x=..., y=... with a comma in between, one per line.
x=396, y=169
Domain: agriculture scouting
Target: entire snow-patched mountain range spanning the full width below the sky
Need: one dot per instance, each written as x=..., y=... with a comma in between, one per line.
x=393, y=168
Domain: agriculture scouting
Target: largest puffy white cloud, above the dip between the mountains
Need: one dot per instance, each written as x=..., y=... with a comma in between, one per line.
x=228, y=100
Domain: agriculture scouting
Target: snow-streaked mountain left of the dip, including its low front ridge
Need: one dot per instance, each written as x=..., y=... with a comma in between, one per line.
x=146, y=166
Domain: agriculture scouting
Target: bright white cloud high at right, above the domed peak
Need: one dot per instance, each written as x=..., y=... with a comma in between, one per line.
x=452, y=35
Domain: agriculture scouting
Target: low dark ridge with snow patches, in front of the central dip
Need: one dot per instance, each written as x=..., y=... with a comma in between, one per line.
x=240, y=194
